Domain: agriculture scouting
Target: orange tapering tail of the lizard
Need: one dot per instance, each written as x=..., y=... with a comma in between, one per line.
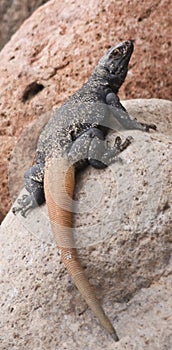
x=59, y=183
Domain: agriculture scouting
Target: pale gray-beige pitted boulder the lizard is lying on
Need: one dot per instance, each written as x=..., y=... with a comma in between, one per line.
x=123, y=233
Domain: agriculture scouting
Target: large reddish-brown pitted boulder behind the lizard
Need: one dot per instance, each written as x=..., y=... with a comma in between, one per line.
x=56, y=49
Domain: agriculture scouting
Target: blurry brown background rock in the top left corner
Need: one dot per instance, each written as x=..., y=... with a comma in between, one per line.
x=12, y=15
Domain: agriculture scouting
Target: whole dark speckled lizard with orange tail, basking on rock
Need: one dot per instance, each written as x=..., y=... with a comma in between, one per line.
x=73, y=138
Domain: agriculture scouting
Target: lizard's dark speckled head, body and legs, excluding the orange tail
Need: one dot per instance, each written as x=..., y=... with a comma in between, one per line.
x=78, y=128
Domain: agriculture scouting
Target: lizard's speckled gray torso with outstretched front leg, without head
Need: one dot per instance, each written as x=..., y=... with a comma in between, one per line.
x=95, y=105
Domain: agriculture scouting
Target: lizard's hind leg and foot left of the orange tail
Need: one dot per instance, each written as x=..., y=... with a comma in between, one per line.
x=33, y=180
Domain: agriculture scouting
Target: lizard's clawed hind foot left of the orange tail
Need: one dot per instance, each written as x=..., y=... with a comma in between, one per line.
x=25, y=203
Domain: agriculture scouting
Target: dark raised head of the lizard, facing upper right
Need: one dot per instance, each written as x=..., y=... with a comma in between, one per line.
x=113, y=66
